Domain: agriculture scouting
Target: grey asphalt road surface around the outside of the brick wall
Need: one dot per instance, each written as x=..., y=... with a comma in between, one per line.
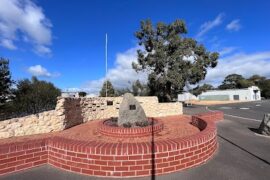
x=242, y=154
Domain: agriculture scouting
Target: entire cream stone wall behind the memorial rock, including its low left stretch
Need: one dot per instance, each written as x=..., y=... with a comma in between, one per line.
x=73, y=111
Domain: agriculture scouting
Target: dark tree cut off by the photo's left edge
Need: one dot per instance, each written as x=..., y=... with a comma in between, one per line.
x=5, y=81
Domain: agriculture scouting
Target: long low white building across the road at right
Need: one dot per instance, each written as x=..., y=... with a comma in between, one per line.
x=252, y=93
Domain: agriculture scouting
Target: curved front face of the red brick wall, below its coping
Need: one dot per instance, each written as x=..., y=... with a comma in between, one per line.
x=133, y=159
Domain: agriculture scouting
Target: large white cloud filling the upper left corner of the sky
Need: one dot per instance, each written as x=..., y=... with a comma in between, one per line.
x=24, y=20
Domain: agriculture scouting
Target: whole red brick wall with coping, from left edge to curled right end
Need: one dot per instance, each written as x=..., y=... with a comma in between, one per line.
x=116, y=159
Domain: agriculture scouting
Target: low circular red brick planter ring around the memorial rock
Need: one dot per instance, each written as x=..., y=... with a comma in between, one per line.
x=130, y=132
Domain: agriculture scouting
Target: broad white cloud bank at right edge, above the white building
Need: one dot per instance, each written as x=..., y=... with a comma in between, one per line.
x=240, y=63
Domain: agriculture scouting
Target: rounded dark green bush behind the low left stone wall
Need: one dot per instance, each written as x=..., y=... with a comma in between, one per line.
x=35, y=96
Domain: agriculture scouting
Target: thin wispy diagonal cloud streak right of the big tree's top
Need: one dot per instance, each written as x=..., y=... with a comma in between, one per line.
x=207, y=26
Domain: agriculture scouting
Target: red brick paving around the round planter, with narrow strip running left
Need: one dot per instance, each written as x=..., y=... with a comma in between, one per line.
x=176, y=126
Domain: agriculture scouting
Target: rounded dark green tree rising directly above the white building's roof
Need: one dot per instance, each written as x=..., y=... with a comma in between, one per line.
x=235, y=81
